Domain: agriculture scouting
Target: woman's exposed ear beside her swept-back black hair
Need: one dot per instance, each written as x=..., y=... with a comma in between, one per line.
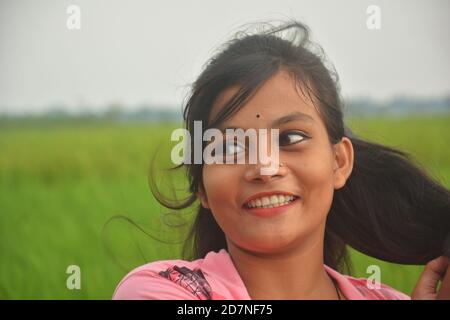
x=343, y=162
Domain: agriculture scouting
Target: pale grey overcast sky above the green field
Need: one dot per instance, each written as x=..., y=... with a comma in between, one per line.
x=135, y=52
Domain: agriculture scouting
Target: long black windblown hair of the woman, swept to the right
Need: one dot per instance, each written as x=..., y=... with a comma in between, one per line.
x=389, y=208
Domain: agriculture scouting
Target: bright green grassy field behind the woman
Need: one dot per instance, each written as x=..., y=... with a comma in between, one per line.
x=59, y=185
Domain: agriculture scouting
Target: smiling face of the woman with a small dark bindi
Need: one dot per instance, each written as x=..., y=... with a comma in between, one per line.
x=312, y=168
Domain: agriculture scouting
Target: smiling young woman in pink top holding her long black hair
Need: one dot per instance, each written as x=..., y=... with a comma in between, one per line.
x=284, y=235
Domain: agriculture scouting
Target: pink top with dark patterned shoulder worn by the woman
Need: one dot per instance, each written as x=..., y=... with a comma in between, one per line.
x=216, y=278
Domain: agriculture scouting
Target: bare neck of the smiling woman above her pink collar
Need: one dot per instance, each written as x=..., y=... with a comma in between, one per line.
x=295, y=273
